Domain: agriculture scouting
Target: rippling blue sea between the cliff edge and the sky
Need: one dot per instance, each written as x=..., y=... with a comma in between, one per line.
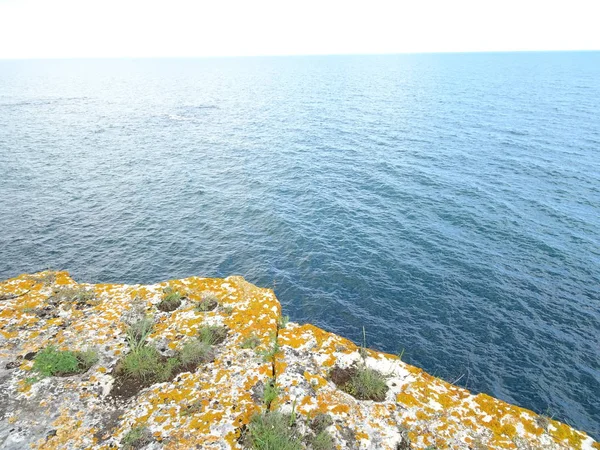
x=450, y=204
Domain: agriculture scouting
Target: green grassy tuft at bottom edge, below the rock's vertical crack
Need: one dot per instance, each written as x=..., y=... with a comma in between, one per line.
x=270, y=431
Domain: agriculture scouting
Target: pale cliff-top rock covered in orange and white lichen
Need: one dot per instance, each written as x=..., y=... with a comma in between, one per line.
x=210, y=406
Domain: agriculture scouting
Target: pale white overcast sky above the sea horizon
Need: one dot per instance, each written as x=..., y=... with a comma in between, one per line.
x=105, y=28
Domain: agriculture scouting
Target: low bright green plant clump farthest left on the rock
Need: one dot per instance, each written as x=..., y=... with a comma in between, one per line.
x=53, y=362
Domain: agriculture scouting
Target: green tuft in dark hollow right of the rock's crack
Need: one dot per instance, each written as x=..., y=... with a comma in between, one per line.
x=361, y=382
